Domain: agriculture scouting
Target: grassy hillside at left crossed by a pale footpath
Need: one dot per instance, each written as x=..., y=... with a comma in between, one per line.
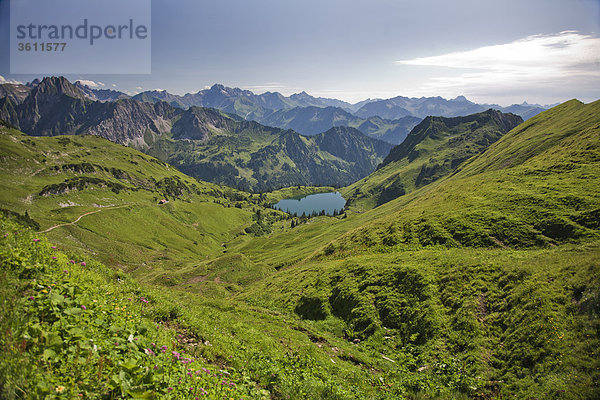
x=88, y=193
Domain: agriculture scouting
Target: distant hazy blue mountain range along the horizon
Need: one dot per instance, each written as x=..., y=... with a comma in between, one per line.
x=386, y=119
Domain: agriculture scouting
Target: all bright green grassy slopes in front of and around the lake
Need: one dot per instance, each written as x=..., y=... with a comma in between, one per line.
x=482, y=284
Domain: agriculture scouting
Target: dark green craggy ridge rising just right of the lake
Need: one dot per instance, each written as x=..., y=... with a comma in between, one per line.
x=432, y=150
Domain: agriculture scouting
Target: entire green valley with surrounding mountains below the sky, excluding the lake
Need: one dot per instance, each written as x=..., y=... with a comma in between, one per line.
x=465, y=264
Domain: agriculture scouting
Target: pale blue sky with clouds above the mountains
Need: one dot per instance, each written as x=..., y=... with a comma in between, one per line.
x=495, y=52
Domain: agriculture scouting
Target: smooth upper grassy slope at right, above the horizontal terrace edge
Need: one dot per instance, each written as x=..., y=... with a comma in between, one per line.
x=537, y=186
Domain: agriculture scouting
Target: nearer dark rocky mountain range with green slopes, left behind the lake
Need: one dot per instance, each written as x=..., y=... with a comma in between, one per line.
x=203, y=142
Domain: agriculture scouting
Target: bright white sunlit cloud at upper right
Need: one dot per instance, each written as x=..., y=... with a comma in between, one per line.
x=559, y=64
